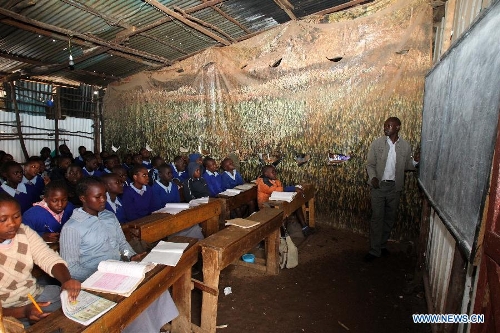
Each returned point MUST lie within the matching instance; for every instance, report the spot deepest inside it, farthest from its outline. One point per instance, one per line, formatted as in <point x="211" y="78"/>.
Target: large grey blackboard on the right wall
<point x="459" y="128"/>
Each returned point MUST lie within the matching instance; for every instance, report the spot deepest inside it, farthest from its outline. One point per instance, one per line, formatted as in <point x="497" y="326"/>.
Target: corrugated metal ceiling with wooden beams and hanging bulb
<point x="110" y="40"/>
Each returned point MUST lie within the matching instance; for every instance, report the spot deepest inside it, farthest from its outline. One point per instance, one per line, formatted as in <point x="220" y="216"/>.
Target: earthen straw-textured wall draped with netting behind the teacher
<point x="232" y="98"/>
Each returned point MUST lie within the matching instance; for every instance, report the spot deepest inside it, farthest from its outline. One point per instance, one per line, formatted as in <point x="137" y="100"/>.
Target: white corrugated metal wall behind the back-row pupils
<point x="74" y="131"/>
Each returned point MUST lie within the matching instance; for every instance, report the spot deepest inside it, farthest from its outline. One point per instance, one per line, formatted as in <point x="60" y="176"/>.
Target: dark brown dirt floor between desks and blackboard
<point x="332" y="290"/>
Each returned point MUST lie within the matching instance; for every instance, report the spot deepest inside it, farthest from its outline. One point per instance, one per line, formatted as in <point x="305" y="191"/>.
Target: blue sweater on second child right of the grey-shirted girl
<point x="136" y="205"/>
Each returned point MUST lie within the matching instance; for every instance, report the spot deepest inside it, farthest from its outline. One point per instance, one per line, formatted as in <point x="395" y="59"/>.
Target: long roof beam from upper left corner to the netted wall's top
<point x="84" y="37"/>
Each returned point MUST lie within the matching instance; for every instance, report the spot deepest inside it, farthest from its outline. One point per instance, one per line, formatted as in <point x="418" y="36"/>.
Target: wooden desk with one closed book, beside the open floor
<point x="224" y="247"/>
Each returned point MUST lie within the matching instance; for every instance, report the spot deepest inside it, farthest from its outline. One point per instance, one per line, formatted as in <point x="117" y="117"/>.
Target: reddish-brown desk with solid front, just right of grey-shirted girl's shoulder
<point x="157" y="226"/>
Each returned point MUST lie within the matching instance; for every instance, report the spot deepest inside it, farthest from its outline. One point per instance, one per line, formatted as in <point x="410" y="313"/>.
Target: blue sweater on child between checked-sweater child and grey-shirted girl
<point x="40" y="220"/>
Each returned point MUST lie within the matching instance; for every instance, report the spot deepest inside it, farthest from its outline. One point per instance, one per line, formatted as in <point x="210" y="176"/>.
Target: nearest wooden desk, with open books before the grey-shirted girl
<point x="157" y="281"/>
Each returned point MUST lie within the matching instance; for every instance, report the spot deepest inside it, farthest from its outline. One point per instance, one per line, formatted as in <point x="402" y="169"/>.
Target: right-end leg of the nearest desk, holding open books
<point x="181" y="294"/>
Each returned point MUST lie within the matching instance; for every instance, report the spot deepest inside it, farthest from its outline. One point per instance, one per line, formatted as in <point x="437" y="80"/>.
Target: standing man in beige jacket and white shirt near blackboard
<point x="388" y="158"/>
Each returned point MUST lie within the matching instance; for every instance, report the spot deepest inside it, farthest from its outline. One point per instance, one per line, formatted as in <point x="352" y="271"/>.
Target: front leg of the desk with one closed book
<point x="210" y="278"/>
